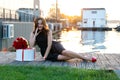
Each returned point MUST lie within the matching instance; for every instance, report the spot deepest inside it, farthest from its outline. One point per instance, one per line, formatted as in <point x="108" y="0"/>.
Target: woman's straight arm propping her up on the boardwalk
<point x="49" y="44"/>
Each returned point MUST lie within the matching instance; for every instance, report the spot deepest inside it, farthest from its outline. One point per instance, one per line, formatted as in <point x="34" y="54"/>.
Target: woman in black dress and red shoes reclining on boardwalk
<point x="51" y="50"/>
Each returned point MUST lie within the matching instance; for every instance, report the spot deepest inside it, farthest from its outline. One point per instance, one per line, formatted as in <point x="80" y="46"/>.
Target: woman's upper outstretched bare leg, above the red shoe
<point x="74" y="55"/>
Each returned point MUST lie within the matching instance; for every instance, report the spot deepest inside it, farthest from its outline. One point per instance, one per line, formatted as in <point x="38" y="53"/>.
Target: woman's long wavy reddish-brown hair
<point x="45" y="28"/>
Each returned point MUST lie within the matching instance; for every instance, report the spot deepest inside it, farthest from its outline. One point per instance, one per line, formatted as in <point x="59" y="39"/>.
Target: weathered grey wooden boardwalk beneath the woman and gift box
<point x="104" y="61"/>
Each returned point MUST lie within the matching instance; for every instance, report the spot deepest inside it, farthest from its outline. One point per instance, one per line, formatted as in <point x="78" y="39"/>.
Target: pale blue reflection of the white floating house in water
<point x="93" y="38"/>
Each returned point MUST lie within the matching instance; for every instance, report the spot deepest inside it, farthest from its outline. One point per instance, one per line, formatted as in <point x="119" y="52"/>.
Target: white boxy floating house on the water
<point x="93" y="17"/>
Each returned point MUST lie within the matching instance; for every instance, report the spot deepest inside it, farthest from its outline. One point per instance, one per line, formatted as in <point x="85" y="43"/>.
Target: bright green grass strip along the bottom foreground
<point x="53" y="73"/>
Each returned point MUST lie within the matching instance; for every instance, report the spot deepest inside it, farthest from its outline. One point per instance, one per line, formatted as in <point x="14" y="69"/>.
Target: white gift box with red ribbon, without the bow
<point x="25" y="54"/>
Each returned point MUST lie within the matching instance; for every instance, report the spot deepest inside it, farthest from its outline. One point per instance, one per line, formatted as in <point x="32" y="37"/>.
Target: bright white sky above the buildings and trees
<point x="68" y="7"/>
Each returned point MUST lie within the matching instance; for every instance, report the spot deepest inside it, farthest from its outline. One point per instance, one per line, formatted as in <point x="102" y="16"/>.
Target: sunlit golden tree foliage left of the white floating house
<point x="52" y="15"/>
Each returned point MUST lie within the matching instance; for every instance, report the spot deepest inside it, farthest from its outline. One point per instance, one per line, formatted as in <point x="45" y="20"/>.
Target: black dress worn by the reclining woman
<point x="56" y="48"/>
